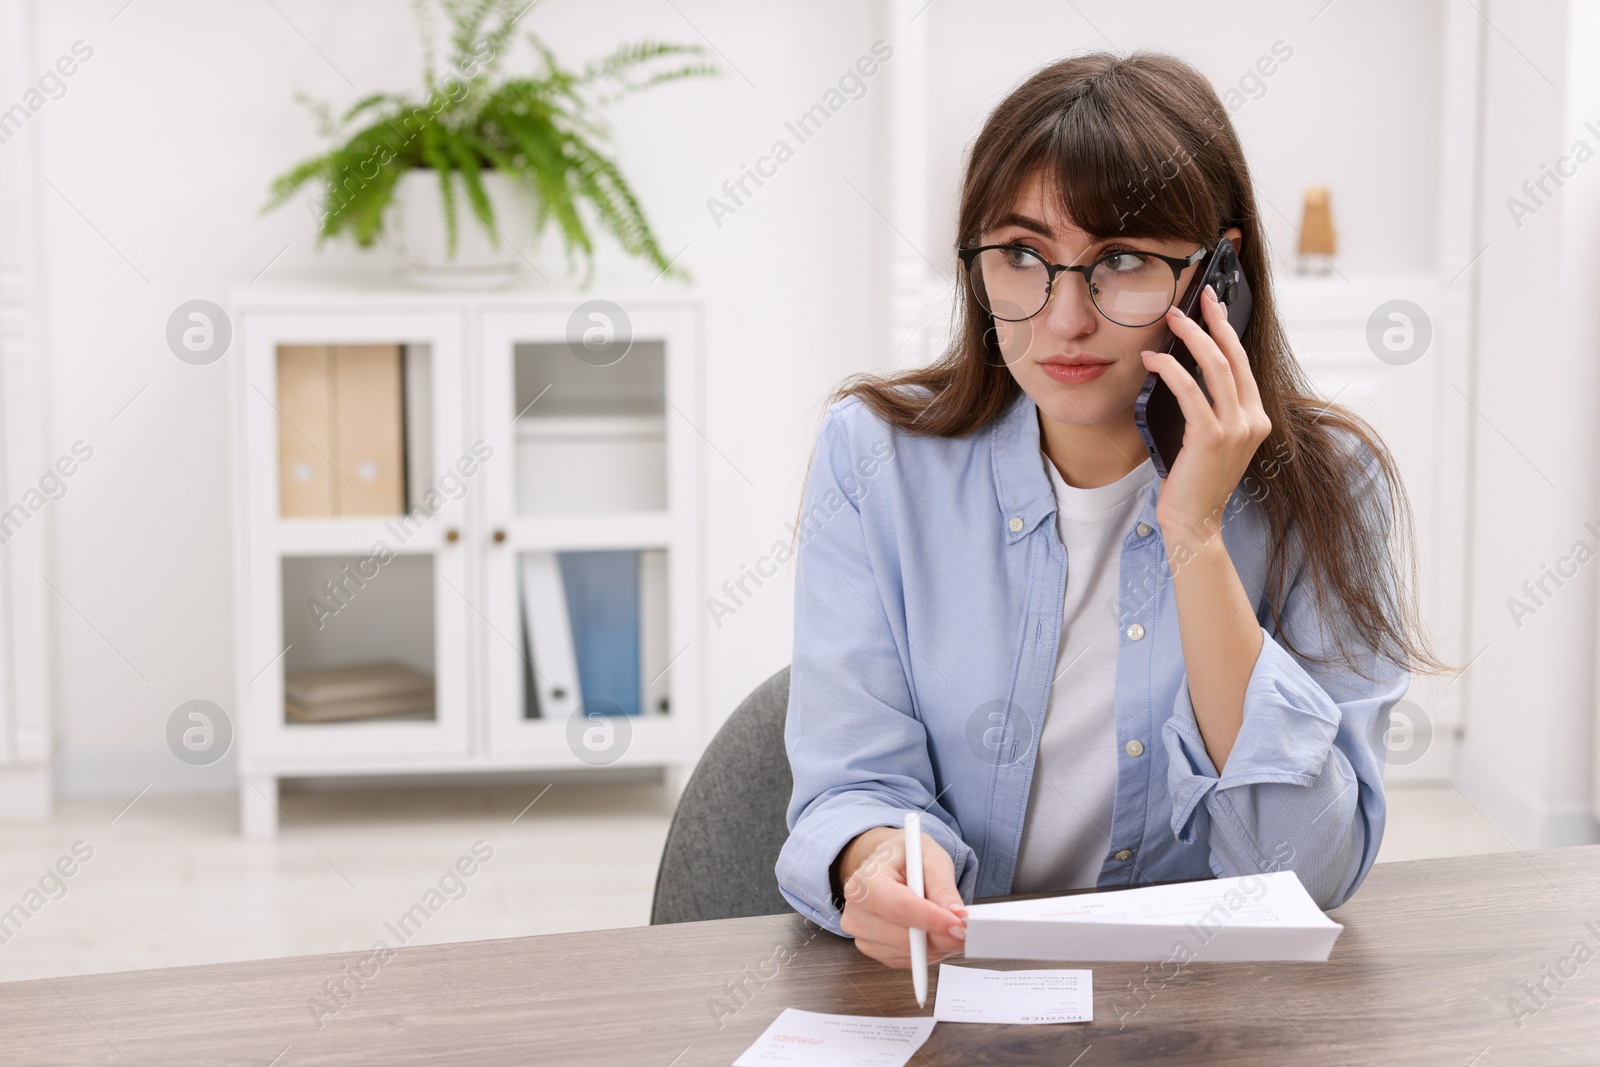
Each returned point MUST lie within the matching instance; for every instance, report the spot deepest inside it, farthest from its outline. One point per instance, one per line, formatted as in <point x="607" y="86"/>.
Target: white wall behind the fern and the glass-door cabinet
<point x="162" y="150"/>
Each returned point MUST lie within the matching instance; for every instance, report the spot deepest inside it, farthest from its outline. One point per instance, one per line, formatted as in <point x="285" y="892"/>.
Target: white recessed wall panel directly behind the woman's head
<point x="1354" y="108"/>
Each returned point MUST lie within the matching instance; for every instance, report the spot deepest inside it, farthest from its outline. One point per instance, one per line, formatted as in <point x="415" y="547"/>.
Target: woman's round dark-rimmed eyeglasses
<point x="1130" y="289"/>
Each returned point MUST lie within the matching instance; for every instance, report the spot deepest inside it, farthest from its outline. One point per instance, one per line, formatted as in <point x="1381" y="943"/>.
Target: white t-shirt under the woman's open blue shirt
<point x="1070" y="807"/>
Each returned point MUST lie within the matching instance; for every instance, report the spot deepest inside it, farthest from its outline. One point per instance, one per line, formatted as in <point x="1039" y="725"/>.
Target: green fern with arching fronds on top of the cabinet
<point x="543" y="130"/>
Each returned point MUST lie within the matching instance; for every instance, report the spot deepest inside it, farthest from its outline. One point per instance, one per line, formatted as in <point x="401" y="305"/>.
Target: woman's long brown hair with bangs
<point x="1140" y="146"/>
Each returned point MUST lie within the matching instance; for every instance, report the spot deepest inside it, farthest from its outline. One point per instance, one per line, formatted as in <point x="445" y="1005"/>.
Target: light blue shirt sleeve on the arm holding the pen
<point x="857" y="746"/>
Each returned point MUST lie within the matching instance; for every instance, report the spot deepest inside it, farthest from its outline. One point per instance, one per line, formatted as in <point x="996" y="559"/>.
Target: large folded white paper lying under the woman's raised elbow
<point x="1250" y="919"/>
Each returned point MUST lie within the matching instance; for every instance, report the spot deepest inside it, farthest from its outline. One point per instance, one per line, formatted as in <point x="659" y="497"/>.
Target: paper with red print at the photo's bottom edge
<point x="812" y="1039"/>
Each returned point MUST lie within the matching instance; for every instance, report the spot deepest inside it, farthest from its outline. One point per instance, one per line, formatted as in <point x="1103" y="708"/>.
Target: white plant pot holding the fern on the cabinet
<point x="478" y="263"/>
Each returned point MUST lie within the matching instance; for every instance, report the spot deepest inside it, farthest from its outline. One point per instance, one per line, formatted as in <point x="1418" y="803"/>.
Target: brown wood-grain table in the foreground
<point x="1433" y="957"/>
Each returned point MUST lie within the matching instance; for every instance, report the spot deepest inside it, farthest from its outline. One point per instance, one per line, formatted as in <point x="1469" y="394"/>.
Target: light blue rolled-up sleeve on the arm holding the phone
<point x="1303" y="783"/>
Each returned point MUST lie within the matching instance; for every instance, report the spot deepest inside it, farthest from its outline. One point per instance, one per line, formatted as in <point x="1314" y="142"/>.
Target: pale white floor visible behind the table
<point x="170" y="882"/>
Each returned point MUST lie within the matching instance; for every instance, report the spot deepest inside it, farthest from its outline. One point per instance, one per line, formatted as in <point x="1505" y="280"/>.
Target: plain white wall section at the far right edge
<point x="1527" y="753"/>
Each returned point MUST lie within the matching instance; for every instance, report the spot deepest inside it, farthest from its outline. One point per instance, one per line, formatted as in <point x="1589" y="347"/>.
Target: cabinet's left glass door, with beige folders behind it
<point x="356" y="486"/>
